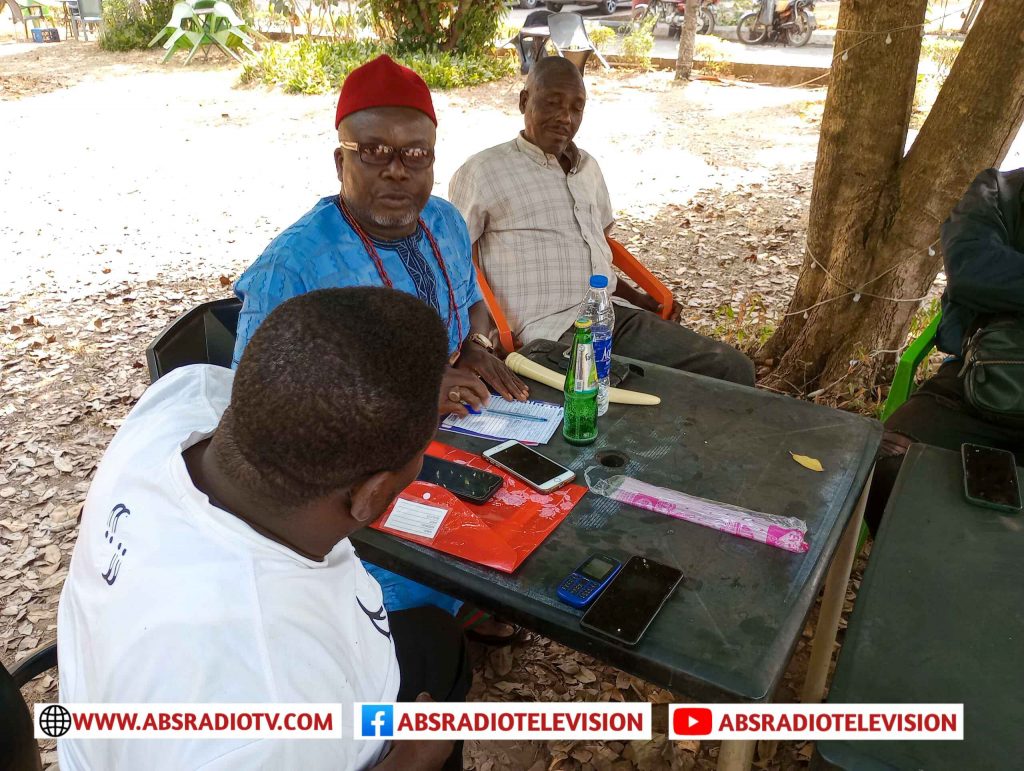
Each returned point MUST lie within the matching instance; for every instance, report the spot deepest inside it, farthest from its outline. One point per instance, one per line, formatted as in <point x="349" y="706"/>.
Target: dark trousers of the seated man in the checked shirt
<point x="643" y="335"/>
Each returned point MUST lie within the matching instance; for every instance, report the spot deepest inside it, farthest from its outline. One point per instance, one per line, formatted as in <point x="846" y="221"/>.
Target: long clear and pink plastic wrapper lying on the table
<point x="784" y="533"/>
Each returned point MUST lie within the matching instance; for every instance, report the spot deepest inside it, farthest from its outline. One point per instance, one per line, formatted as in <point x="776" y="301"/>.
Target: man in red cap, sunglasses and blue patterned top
<point x="386" y="229"/>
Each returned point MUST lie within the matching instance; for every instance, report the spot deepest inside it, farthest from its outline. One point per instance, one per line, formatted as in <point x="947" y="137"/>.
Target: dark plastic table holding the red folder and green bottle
<point x="730" y="631"/>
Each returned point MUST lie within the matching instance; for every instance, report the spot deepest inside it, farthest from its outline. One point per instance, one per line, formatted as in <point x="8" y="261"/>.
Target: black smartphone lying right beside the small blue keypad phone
<point x="626" y="609"/>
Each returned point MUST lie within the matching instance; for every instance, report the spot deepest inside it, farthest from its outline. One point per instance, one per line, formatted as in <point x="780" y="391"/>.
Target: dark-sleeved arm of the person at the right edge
<point x="985" y="272"/>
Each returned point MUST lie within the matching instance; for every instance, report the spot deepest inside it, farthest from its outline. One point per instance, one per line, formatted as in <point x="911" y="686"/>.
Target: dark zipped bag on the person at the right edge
<point x="994" y="371"/>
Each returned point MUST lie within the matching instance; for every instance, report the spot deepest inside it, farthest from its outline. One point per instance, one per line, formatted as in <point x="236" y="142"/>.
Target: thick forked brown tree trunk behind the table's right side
<point x="875" y="213"/>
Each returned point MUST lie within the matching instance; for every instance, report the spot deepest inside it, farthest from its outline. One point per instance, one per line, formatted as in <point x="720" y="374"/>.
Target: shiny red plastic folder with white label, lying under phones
<point x="500" y="534"/>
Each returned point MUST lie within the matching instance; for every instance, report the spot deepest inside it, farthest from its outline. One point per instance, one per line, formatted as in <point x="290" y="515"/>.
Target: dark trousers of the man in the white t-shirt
<point x="433" y="658"/>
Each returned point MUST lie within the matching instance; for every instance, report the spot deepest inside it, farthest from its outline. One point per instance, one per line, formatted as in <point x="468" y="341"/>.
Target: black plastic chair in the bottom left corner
<point x="19" y="751"/>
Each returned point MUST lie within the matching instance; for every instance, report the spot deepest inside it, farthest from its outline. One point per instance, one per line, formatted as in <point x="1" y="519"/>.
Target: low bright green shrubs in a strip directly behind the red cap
<point x="314" y="67"/>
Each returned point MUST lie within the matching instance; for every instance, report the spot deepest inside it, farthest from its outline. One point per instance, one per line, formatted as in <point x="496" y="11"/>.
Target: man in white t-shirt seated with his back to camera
<point x="214" y="564"/>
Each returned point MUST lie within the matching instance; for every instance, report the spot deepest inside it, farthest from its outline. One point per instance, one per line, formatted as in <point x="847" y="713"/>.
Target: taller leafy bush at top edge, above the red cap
<point x="452" y="26"/>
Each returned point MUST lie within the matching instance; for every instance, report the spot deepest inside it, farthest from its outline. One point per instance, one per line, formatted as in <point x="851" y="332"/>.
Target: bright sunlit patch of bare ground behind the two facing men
<point x="172" y="167"/>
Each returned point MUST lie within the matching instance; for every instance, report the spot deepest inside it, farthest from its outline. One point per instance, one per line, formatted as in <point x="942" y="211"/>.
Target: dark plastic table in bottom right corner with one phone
<point x="940" y="619"/>
